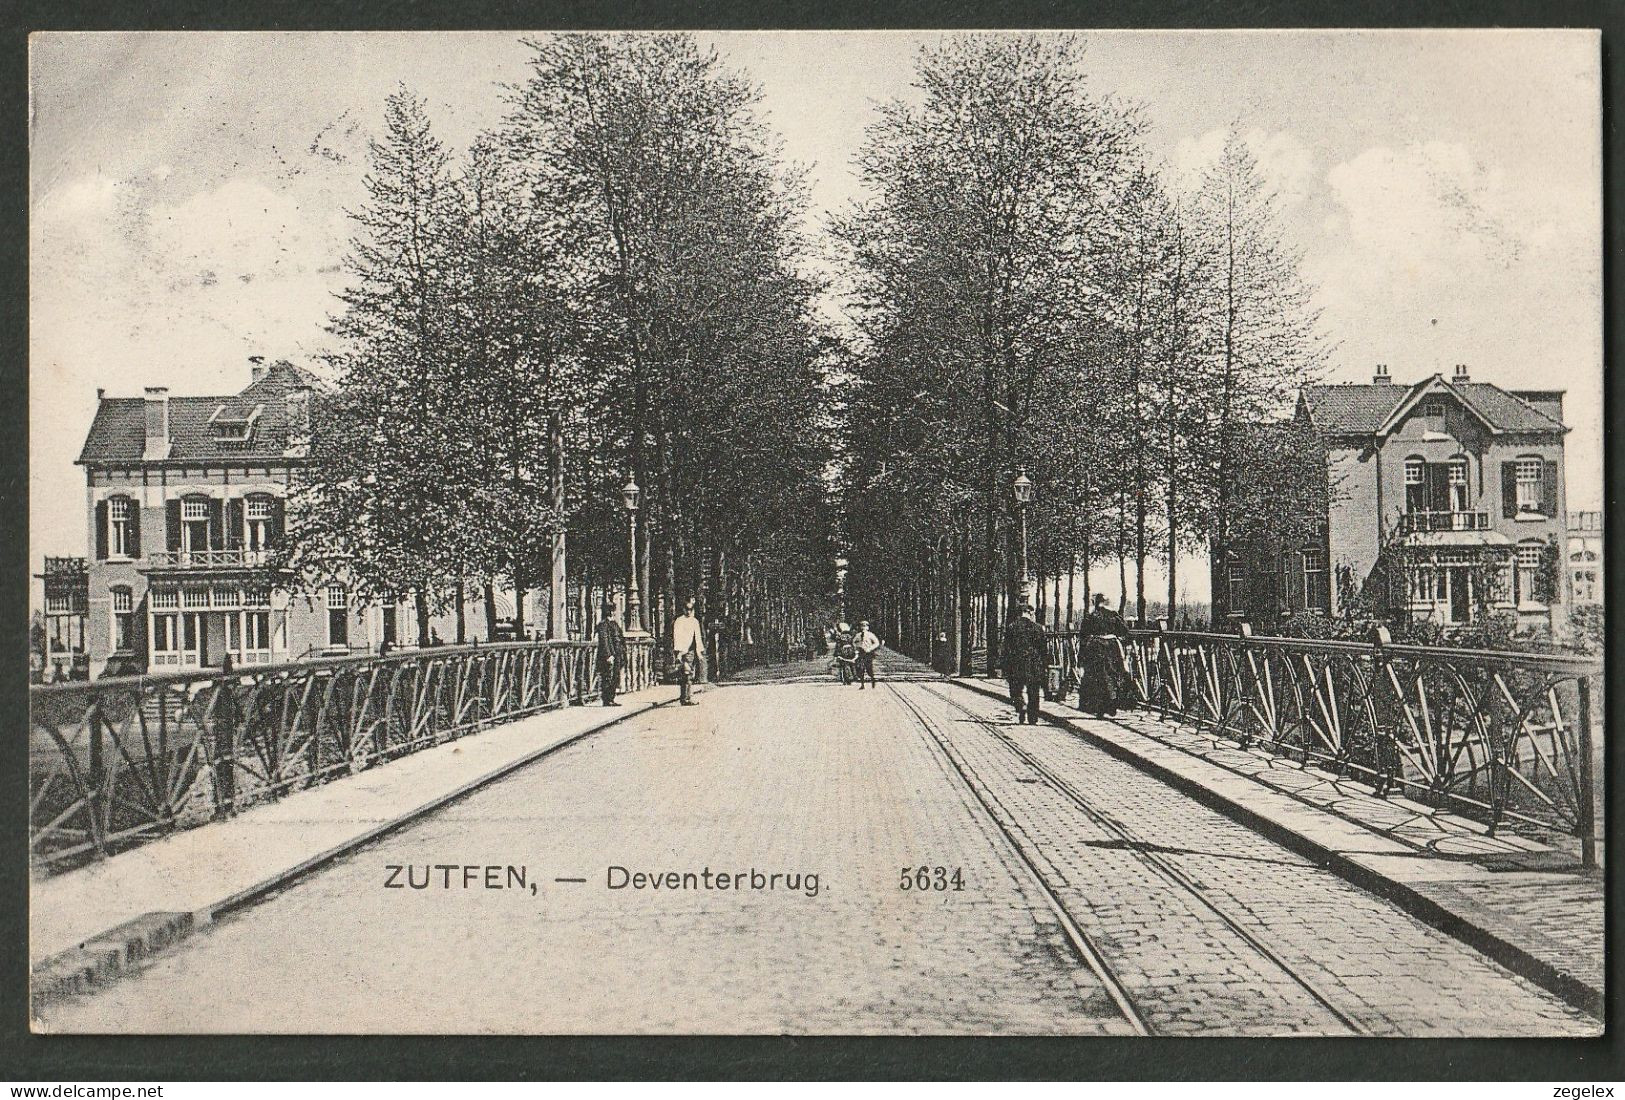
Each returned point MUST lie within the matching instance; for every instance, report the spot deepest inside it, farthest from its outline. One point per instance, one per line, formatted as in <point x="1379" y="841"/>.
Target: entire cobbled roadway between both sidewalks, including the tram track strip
<point x="808" y="777"/>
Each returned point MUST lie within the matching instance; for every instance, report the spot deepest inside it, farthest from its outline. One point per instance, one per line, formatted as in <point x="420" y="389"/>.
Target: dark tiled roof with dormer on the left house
<point x="119" y="431"/>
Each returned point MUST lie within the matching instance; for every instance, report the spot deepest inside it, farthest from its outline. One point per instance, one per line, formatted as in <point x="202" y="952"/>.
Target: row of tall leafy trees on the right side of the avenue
<point x="1036" y="295"/>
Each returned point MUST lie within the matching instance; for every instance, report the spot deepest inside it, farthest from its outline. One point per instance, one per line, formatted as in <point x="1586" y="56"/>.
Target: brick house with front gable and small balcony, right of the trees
<point x="1445" y="501"/>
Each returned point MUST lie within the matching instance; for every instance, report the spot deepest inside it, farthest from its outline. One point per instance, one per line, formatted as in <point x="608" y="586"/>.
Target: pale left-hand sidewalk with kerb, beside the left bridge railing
<point x="90" y="924"/>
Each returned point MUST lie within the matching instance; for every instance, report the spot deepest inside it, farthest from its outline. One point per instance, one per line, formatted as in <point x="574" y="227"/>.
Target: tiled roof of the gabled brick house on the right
<point x="1377" y="409"/>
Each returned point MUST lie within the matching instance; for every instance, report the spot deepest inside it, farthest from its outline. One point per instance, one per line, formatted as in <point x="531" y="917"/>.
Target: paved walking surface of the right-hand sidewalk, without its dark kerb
<point x="1532" y="891"/>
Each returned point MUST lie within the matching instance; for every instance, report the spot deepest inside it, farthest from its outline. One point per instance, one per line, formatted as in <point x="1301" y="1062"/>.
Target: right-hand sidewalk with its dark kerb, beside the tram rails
<point x="1525" y="903"/>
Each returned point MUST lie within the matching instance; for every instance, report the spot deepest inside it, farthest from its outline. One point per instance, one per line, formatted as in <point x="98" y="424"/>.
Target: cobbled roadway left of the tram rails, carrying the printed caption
<point x="786" y="779"/>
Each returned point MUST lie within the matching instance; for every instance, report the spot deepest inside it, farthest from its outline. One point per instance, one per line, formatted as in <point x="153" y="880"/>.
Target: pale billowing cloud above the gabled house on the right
<point x="1432" y="256"/>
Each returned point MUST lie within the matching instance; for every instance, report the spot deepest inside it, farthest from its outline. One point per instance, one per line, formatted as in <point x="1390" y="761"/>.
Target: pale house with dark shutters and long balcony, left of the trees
<point x="184" y="500"/>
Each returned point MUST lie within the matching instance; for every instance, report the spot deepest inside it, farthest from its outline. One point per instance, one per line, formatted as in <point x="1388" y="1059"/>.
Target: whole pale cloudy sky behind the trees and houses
<point x="189" y="193"/>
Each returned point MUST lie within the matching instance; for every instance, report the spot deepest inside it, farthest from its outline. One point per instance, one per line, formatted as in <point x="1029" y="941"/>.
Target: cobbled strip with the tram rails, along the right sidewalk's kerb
<point x="1190" y="971"/>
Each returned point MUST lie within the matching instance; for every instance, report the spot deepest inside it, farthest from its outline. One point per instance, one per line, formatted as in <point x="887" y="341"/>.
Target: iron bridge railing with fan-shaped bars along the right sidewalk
<point x="1506" y="738"/>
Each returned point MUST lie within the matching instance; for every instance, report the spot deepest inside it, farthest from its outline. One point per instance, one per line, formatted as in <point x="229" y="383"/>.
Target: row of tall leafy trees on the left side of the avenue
<point x="605" y="288"/>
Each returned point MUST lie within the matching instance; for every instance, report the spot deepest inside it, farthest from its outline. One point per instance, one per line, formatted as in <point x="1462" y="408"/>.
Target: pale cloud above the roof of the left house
<point x="155" y="282"/>
